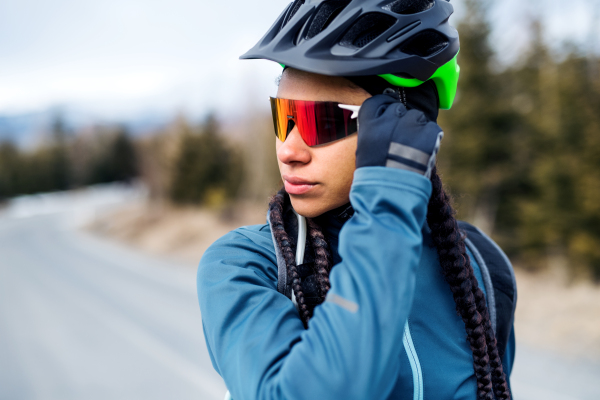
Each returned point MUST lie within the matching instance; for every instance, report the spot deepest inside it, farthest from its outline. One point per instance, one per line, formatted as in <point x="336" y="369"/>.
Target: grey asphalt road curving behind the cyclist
<point x="82" y="318"/>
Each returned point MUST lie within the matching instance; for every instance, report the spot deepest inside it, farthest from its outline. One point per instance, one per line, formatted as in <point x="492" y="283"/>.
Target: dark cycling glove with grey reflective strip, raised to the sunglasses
<point x="390" y="135"/>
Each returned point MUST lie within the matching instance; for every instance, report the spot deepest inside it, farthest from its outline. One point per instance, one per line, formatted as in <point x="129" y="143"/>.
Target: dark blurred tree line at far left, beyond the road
<point x="66" y="160"/>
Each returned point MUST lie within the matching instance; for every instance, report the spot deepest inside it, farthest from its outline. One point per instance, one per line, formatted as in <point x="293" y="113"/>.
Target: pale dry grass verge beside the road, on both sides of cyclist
<point x="551" y="313"/>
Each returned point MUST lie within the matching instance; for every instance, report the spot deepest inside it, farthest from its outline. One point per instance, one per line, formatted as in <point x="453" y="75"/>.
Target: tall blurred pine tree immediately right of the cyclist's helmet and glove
<point x="481" y="129"/>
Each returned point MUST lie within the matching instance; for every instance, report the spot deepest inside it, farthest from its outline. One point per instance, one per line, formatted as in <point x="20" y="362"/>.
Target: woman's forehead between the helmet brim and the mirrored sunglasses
<point x="300" y="85"/>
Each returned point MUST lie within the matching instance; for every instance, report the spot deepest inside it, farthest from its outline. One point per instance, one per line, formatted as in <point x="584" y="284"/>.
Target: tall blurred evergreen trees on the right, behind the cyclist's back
<point x="521" y="153"/>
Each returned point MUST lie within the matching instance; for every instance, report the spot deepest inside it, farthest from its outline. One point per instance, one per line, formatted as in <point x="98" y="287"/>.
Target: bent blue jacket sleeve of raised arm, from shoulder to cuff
<point x="352" y="346"/>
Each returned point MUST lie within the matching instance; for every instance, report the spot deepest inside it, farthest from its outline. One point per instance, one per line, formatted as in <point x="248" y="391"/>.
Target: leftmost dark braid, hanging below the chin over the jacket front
<point x="283" y="241"/>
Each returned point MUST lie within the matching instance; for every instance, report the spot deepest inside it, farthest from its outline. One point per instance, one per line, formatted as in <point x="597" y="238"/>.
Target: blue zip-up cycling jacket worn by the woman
<point x="387" y="330"/>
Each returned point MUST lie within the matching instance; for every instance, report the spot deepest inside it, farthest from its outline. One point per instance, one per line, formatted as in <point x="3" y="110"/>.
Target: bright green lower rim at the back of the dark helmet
<point x="445" y="79"/>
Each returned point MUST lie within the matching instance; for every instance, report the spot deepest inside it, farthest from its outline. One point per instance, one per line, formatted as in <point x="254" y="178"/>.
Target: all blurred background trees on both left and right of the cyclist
<point x="521" y="154"/>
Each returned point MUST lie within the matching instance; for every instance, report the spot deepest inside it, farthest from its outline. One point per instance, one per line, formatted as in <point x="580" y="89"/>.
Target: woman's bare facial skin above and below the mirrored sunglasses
<point x="317" y="178"/>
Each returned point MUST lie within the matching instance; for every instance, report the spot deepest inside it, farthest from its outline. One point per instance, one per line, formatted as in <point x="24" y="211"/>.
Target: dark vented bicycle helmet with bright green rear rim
<point x="406" y="42"/>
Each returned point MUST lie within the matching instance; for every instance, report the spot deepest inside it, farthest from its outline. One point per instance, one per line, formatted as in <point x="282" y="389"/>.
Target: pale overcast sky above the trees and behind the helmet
<point x="120" y="58"/>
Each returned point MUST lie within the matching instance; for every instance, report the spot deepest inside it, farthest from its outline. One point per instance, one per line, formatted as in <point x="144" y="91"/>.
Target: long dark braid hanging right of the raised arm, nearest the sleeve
<point x="458" y="271"/>
